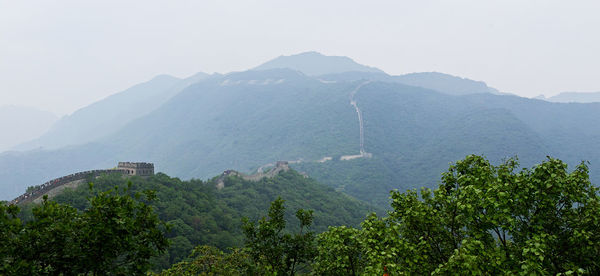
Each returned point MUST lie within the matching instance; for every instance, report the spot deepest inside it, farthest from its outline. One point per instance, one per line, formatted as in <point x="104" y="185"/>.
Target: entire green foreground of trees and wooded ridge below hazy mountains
<point x="481" y="219"/>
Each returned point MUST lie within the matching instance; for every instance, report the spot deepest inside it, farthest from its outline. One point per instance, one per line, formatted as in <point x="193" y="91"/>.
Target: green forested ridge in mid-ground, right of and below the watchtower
<point x="203" y="214"/>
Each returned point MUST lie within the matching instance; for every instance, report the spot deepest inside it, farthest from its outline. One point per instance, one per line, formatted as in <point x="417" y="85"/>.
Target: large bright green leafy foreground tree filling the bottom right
<point x="489" y="219"/>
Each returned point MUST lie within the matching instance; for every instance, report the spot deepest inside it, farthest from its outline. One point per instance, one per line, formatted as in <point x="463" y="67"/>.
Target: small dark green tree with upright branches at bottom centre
<point x="272" y="249"/>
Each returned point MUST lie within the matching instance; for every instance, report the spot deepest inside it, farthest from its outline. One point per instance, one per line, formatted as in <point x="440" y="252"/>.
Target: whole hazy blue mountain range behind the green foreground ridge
<point x="298" y="108"/>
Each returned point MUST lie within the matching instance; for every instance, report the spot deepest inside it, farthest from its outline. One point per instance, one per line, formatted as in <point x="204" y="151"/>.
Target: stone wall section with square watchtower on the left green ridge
<point x="55" y="186"/>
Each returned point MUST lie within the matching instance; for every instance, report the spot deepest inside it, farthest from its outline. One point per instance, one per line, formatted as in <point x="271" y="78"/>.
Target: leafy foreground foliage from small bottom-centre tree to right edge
<point x="482" y="220"/>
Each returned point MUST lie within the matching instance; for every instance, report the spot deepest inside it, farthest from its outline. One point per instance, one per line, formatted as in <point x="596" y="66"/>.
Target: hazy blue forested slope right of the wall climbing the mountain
<point x="409" y="133"/>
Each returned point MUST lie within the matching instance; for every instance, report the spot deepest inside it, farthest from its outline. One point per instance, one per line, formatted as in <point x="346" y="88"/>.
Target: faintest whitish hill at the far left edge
<point x="20" y="124"/>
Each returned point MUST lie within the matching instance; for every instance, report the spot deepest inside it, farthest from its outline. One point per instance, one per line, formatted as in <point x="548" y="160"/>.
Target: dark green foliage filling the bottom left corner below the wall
<point x="115" y="235"/>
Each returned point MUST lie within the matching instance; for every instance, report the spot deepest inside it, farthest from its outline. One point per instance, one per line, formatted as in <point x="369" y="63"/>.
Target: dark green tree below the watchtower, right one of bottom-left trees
<point x="121" y="234"/>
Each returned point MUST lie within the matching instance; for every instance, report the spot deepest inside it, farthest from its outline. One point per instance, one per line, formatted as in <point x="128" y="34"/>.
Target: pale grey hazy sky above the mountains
<point x="62" y="55"/>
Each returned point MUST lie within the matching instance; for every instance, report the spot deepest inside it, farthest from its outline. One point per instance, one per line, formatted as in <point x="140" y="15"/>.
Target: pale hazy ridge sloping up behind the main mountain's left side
<point x="112" y="113"/>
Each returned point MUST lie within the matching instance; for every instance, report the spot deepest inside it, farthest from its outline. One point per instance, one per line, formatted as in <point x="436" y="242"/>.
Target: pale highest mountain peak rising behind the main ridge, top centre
<point x="314" y="64"/>
